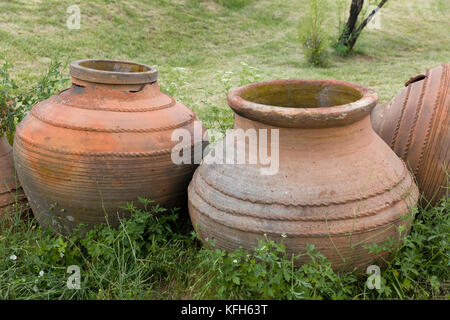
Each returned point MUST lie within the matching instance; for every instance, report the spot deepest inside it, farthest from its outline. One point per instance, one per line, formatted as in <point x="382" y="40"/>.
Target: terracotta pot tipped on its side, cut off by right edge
<point x="416" y="125"/>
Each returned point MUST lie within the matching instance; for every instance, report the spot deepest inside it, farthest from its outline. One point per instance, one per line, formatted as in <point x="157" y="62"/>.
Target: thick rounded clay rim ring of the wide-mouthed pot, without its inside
<point x="319" y="117"/>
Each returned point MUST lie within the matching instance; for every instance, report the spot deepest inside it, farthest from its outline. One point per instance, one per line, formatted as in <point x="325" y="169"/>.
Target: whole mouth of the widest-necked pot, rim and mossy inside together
<point x="303" y="103"/>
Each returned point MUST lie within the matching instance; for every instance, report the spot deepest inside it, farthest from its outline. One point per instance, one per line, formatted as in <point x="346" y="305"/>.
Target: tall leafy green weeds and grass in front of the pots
<point x="156" y="255"/>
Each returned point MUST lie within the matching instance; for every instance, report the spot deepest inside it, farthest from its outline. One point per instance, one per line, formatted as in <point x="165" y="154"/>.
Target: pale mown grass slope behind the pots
<point x="208" y="39"/>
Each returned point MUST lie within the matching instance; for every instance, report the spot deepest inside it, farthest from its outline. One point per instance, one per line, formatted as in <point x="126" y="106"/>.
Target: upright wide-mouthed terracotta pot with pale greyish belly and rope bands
<point x="338" y="186"/>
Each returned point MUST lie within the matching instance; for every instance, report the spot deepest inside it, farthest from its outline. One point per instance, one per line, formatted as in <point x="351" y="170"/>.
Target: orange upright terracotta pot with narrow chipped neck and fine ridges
<point x="100" y="144"/>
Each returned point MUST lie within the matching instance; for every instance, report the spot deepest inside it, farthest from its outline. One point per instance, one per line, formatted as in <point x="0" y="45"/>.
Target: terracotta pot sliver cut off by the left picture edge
<point x="10" y="191"/>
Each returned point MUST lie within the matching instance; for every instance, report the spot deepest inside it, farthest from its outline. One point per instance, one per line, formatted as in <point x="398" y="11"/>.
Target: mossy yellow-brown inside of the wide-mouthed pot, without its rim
<point x="302" y="94"/>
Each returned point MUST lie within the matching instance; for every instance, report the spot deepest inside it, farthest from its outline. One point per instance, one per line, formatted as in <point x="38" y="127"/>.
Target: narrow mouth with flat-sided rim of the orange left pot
<point x="113" y="71"/>
